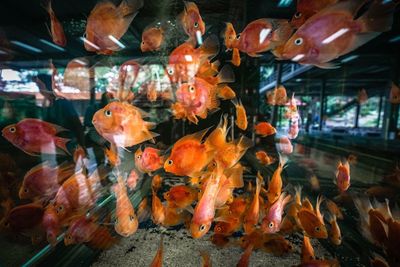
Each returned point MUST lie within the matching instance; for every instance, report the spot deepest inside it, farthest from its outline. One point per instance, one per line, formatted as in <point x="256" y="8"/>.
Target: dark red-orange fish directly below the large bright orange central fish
<point x="180" y="196"/>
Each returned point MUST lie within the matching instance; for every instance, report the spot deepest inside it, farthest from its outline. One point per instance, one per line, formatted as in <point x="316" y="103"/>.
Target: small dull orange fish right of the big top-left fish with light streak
<point x="152" y="38"/>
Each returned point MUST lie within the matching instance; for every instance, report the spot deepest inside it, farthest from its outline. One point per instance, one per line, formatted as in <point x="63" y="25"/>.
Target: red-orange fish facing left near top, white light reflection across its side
<point x="262" y="35"/>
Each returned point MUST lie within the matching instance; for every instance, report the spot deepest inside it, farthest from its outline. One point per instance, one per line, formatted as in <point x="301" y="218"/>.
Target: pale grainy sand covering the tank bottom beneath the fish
<point x="182" y="250"/>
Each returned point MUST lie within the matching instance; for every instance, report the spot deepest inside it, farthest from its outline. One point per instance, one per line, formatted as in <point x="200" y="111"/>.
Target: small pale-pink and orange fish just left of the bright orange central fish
<point x="148" y="160"/>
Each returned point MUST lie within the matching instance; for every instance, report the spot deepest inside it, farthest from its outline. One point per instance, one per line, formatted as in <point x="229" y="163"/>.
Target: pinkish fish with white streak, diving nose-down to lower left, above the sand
<point x="271" y="223"/>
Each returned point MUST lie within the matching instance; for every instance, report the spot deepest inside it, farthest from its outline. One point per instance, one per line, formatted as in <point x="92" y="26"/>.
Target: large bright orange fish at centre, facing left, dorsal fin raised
<point x="189" y="156"/>
